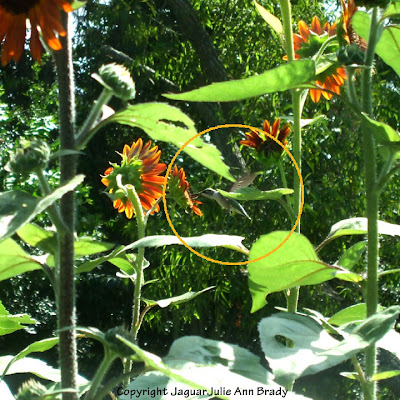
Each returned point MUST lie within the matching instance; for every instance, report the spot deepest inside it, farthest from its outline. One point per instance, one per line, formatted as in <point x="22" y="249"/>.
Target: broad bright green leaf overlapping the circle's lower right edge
<point x="295" y="263"/>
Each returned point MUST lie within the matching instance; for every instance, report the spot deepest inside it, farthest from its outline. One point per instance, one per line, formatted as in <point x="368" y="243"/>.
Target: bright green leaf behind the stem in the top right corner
<point x="388" y="47"/>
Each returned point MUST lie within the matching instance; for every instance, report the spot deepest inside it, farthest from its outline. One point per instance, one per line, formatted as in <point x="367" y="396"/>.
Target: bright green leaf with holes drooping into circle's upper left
<point x="169" y="124"/>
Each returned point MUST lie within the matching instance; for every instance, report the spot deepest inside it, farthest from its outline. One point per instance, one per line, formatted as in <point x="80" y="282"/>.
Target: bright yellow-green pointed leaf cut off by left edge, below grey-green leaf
<point x="14" y="261"/>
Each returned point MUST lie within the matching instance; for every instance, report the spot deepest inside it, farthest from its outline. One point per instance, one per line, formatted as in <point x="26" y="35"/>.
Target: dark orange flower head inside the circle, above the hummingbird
<point x="267" y="150"/>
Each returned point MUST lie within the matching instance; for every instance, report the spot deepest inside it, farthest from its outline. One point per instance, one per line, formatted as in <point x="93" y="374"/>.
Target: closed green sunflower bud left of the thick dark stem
<point x="29" y="157"/>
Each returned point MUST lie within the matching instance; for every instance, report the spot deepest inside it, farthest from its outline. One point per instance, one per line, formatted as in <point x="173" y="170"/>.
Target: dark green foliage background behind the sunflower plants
<point x="149" y="34"/>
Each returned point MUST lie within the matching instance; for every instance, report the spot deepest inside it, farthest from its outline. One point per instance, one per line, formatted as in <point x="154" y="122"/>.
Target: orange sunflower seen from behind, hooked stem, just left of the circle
<point x="140" y="168"/>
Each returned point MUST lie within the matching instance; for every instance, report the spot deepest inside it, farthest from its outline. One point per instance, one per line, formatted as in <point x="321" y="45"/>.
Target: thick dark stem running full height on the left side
<point x="66" y="283"/>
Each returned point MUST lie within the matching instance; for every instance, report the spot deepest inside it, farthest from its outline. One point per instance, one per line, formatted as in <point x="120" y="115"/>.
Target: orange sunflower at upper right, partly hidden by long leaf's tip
<point x="307" y="44"/>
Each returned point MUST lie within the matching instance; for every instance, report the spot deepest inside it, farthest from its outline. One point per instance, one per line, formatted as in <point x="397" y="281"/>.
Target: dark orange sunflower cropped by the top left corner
<point x="42" y="14"/>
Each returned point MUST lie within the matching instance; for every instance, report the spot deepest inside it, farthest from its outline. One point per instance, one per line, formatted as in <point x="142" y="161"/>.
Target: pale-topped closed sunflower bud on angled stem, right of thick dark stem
<point x="117" y="78"/>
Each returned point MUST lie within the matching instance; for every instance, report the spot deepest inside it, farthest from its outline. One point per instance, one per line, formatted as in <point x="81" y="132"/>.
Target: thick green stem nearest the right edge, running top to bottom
<point x="372" y="194"/>
